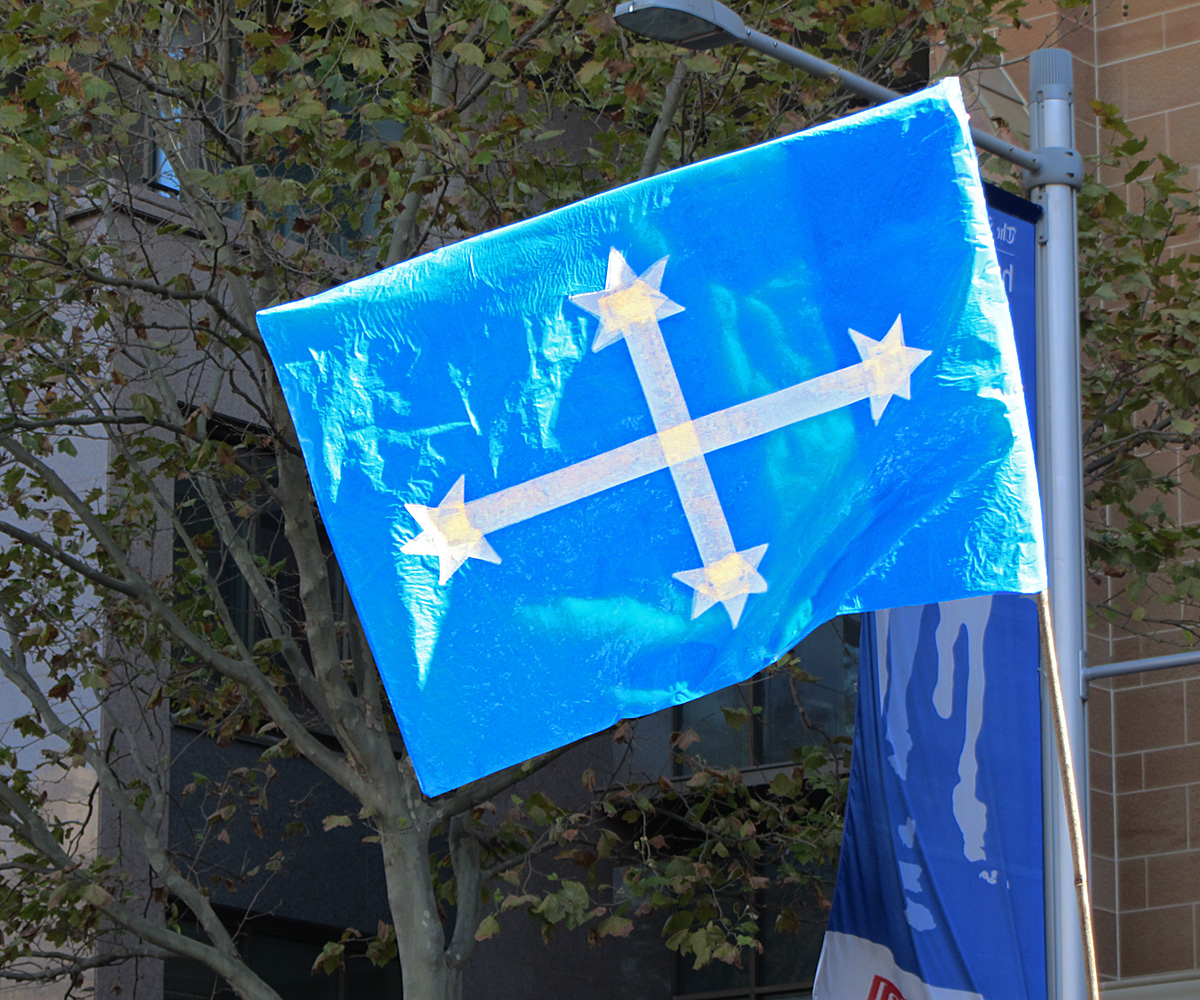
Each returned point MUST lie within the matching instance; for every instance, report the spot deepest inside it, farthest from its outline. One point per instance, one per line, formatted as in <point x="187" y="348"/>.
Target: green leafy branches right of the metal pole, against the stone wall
<point x="1142" y="398"/>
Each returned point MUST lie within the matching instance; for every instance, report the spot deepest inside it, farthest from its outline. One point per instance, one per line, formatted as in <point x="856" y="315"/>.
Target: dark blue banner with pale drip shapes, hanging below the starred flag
<point x="940" y="891"/>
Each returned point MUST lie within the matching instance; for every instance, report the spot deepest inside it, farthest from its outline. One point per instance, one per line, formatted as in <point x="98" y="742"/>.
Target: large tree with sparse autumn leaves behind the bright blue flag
<point x="170" y="170"/>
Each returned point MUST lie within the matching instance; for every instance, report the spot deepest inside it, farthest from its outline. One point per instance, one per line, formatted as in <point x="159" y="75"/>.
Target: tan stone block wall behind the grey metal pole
<point x="1144" y="730"/>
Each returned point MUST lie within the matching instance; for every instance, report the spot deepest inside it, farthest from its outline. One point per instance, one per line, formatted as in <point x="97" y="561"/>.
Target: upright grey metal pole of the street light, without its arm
<point x="1060" y="460"/>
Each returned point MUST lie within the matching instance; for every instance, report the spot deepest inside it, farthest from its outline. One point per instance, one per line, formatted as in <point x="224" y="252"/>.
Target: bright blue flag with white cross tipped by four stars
<point x="629" y="453"/>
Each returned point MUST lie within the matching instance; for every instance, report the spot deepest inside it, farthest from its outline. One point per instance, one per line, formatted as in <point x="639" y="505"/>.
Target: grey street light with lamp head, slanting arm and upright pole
<point x="1053" y="175"/>
